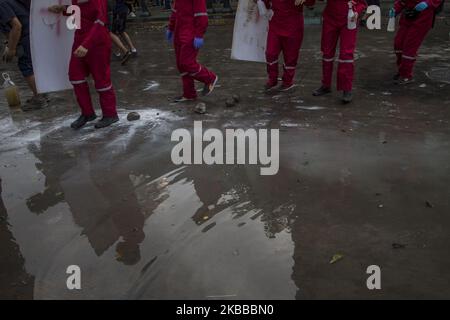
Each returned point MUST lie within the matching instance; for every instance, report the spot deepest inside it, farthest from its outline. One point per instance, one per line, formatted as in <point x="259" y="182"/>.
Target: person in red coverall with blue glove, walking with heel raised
<point x="187" y="26"/>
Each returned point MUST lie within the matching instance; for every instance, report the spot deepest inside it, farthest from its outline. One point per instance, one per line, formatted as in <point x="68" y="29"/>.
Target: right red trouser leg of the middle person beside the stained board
<point x="291" y="51"/>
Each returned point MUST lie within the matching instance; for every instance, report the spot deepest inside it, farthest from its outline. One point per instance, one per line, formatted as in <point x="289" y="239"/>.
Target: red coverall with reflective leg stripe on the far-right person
<point x="411" y="34"/>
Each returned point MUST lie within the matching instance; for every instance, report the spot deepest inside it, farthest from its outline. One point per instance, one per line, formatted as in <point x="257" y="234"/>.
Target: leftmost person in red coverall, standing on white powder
<point x="91" y="55"/>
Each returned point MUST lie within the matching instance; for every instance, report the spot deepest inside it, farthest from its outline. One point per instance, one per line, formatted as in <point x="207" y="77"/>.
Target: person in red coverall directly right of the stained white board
<point x="285" y="35"/>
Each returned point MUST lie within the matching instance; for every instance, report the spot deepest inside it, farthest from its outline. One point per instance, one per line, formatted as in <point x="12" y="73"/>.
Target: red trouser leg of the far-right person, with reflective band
<point x="414" y="38"/>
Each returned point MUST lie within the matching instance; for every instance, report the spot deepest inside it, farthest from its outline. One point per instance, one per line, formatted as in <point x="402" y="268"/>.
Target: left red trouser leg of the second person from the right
<point x="330" y="35"/>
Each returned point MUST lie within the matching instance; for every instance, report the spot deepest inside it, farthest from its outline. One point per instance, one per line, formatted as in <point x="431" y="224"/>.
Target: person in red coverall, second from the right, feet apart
<point x="335" y="19"/>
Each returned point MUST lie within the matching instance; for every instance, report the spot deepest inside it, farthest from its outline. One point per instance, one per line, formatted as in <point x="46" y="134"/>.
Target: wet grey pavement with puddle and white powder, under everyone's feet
<point x="353" y="180"/>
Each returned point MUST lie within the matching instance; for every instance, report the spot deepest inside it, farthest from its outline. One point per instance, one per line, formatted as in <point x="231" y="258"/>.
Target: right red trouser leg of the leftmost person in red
<point x="98" y="60"/>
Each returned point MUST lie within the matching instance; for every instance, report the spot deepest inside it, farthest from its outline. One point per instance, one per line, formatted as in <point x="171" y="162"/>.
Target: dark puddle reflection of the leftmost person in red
<point x="103" y="205"/>
